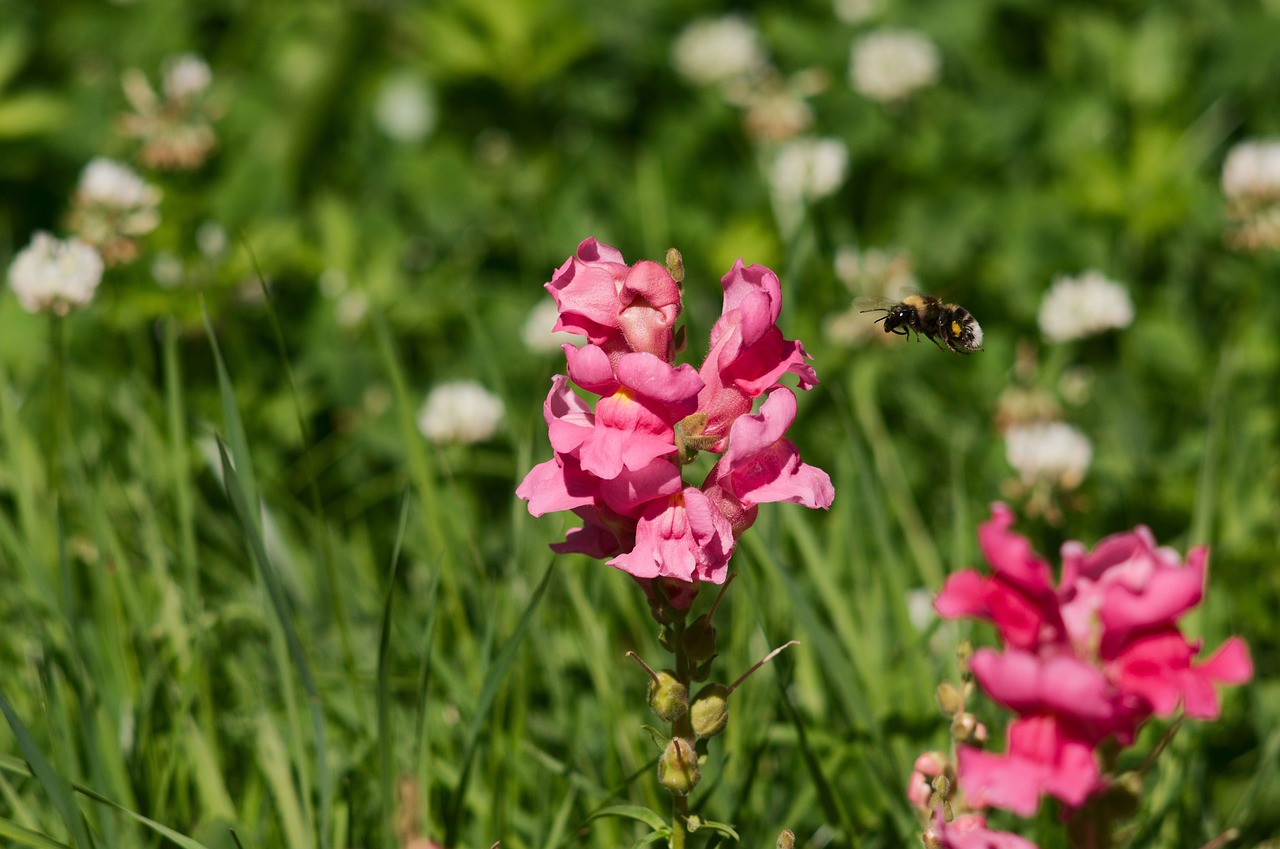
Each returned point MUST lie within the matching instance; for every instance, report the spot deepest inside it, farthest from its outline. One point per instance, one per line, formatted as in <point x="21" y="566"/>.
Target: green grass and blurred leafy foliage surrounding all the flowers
<point x="275" y="673"/>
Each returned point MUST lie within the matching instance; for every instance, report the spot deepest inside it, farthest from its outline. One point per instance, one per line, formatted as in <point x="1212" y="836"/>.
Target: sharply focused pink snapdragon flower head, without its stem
<point x="619" y="468"/>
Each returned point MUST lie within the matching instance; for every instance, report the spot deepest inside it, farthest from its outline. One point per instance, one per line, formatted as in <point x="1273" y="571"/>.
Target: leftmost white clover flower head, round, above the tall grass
<point x="57" y="276"/>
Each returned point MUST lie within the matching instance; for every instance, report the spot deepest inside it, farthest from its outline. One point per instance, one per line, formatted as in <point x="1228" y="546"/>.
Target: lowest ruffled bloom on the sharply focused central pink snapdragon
<point x="682" y="537"/>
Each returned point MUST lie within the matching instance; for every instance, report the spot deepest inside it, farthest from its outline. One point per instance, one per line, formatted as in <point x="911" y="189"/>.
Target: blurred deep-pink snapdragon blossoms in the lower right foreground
<point x="1085" y="663"/>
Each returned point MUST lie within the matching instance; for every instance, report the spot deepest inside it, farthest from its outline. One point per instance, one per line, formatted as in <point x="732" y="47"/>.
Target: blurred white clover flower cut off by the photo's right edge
<point x="1251" y="182"/>
